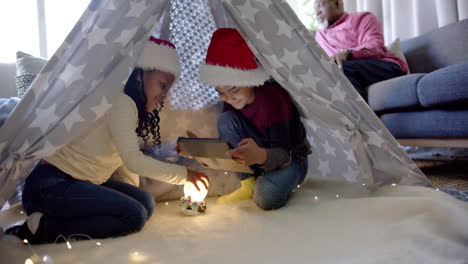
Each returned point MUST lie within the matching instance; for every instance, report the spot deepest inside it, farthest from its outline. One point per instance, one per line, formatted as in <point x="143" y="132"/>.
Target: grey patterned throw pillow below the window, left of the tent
<point x="27" y="68"/>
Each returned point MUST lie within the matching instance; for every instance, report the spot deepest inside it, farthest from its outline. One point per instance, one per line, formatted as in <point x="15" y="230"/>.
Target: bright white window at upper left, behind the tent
<point x="37" y="27"/>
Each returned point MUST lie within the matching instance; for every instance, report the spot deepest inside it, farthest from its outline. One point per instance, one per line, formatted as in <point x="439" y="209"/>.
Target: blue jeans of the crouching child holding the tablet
<point x="272" y="188"/>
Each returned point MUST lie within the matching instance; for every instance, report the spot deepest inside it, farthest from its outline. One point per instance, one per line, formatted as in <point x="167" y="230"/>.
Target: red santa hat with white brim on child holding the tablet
<point x="230" y="61"/>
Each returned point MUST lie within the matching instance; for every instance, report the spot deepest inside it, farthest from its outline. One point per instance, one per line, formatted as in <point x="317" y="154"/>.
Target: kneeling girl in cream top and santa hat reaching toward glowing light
<point x="70" y="191"/>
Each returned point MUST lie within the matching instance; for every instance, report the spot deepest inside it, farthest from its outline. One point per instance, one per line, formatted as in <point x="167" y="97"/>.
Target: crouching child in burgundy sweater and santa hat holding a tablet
<point x="259" y="119"/>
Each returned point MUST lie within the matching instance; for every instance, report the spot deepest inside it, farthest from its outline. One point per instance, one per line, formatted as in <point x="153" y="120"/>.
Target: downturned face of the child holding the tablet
<point x="237" y="97"/>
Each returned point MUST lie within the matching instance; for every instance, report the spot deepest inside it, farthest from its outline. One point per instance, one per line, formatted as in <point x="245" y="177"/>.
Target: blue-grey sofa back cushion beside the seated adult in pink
<point x="437" y="49"/>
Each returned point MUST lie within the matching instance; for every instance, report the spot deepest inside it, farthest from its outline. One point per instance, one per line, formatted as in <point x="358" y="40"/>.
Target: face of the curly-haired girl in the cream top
<point x="157" y="85"/>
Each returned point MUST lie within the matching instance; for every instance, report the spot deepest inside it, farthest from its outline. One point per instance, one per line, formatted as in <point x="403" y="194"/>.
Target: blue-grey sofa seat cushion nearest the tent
<point x="395" y="94"/>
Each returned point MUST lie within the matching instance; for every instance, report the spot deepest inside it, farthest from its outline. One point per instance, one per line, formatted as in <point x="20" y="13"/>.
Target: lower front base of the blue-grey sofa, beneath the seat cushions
<point x="427" y="124"/>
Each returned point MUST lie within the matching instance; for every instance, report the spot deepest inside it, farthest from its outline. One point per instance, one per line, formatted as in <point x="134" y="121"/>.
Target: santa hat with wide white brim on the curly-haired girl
<point x="160" y="55"/>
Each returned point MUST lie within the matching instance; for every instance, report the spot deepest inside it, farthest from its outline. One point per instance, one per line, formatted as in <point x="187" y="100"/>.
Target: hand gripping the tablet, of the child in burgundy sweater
<point x="248" y="153"/>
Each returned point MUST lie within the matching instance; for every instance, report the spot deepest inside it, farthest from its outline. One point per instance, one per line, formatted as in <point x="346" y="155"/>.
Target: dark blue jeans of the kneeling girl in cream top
<point x="71" y="206"/>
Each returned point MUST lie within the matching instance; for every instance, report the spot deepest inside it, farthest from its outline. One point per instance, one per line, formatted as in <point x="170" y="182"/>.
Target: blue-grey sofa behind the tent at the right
<point x="429" y="106"/>
